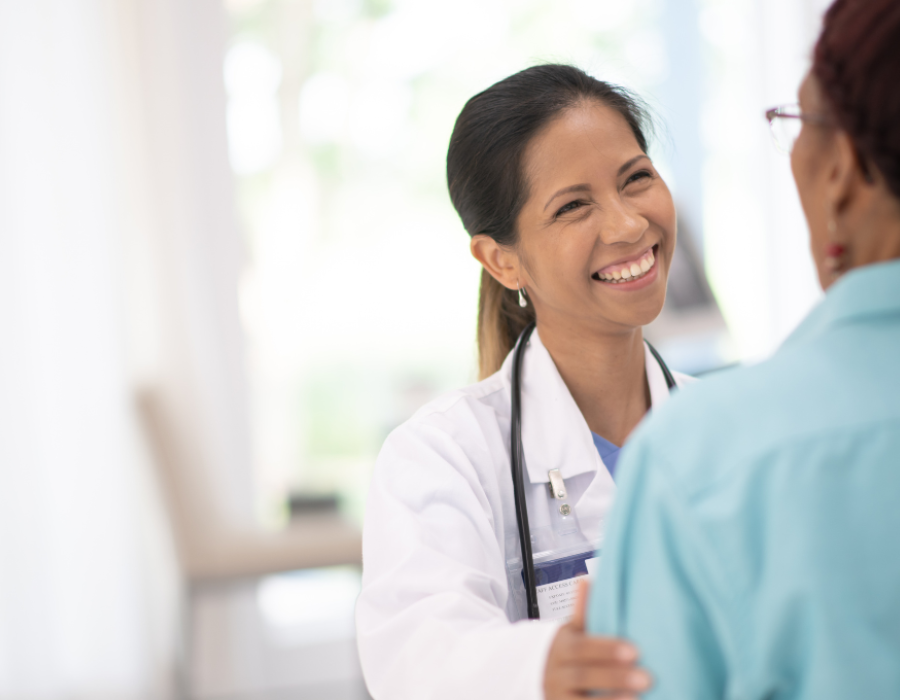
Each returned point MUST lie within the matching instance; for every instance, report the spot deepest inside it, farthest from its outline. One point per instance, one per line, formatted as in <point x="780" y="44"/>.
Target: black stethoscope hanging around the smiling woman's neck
<point x="516" y="459"/>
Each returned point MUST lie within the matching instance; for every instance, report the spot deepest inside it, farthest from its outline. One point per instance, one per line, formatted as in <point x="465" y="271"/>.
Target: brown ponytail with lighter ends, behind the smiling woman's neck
<point x="500" y="322"/>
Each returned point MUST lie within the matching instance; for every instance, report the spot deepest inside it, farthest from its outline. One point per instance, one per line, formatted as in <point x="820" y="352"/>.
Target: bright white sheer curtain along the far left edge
<point x="90" y="588"/>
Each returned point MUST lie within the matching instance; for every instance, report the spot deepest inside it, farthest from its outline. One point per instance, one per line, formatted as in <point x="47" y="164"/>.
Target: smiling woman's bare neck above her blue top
<point x="605" y="373"/>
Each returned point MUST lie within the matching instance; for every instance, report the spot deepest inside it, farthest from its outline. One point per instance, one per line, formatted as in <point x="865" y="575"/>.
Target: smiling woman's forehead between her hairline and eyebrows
<point x="588" y="140"/>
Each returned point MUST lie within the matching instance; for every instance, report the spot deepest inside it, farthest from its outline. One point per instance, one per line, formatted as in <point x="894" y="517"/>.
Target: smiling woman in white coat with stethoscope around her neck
<point x="575" y="229"/>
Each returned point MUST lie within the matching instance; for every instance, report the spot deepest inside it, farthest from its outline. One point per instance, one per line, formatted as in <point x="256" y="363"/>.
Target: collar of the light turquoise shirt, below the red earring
<point x="873" y="290"/>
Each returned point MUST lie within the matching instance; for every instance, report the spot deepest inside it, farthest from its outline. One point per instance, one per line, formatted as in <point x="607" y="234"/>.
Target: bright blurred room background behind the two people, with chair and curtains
<point x="229" y="267"/>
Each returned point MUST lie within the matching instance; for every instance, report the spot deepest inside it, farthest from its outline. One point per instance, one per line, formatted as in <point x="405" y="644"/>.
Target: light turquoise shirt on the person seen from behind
<point x="754" y="551"/>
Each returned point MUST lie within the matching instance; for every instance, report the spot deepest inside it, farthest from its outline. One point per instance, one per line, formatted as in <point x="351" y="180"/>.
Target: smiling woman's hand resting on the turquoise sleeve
<point x="578" y="663"/>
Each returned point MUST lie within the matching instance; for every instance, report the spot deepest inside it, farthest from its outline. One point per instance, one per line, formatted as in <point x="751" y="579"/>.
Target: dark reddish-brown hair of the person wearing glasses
<point x="857" y="65"/>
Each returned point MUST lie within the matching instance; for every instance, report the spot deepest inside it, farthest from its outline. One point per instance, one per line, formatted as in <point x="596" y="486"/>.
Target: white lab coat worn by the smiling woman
<point x="440" y="613"/>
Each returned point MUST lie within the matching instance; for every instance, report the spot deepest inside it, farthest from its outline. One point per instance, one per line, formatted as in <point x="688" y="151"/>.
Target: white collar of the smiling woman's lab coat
<point x="554" y="433"/>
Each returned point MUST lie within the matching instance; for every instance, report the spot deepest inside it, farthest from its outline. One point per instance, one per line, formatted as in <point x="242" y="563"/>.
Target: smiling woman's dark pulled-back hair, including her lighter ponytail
<point x="488" y="186"/>
